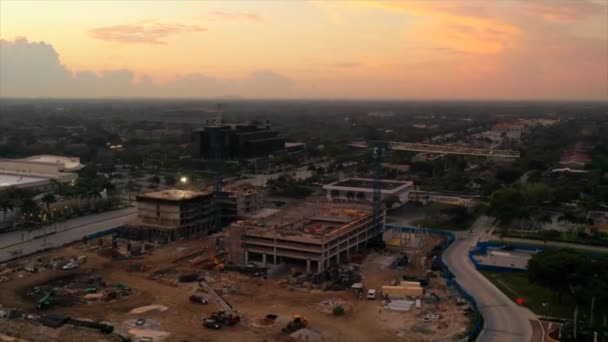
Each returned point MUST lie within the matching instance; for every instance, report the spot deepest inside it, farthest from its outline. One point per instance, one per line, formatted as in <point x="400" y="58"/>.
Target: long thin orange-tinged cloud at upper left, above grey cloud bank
<point x="141" y="33"/>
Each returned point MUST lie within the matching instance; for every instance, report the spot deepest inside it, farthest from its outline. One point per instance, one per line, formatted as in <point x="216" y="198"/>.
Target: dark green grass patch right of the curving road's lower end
<point x="516" y="285"/>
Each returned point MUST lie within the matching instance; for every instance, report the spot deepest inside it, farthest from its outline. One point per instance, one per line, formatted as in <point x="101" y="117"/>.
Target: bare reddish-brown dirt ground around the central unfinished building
<point x="254" y="298"/>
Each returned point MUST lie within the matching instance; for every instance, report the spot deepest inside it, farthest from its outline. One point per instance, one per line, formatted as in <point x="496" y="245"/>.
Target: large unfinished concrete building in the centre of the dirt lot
<point x="312" y="234"/>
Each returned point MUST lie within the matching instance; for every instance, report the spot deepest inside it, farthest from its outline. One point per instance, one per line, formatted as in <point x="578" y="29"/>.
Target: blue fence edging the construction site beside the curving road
<point x="449" y="276"/>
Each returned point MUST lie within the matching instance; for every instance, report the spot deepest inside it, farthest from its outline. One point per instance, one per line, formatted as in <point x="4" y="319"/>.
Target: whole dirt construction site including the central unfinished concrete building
<point x="314" y="272"/>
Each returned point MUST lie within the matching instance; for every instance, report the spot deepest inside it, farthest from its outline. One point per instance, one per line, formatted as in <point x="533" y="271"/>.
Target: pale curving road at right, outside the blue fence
<point x="504" y="320"/>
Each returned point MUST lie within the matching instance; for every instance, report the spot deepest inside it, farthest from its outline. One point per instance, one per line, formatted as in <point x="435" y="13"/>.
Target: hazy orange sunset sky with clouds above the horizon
<point x="409" y="49"/>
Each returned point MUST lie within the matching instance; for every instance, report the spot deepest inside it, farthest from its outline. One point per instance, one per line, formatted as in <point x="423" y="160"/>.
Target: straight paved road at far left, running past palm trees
<point x="69" y="231"/>
